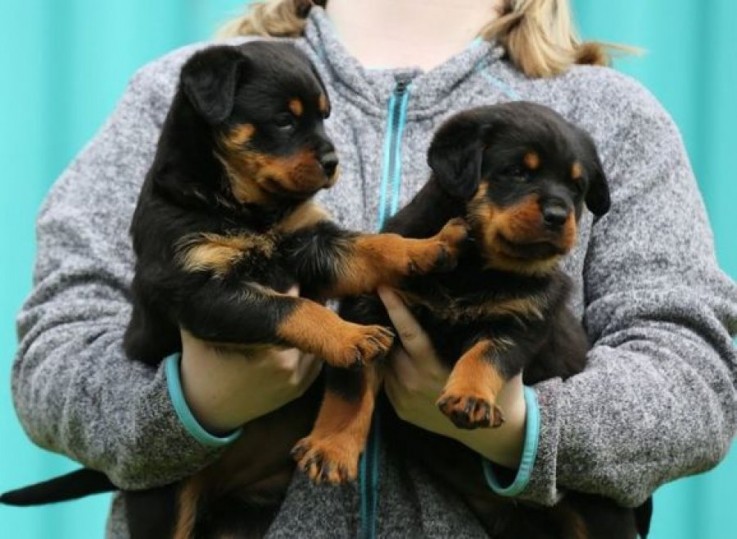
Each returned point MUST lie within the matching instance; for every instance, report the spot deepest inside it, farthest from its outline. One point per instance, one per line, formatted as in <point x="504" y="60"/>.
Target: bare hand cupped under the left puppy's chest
<point x="225" y="389"/>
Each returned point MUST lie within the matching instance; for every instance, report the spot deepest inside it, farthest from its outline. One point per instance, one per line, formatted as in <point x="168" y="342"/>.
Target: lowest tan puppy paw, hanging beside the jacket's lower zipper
<point x="333" y="461"/>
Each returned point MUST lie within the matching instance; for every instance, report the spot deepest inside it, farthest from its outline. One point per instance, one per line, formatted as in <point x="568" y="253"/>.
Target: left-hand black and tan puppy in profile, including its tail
<point x="225" y="225"/>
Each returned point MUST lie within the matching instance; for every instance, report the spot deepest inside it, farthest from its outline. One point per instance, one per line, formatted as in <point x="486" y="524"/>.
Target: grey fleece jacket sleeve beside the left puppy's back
<point x="74" y="390"/>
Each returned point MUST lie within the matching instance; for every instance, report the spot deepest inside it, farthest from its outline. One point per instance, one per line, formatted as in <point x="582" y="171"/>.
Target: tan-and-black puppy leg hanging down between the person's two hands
<point x="331" y="452"/>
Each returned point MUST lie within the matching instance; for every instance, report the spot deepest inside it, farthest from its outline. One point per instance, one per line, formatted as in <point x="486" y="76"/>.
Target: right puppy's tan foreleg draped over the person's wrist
<point x="469" y="396"/>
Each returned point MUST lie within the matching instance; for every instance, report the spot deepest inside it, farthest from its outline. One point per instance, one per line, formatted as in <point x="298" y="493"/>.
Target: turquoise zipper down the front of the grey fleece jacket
<point x="391" y="176"/>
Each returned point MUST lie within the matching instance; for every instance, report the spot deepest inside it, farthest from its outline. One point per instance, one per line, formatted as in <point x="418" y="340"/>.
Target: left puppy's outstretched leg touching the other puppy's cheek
<point x="337" y="263"/>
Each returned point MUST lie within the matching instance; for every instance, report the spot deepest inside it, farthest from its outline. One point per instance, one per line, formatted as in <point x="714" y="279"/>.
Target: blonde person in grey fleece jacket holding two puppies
<point x="656" y="401"/>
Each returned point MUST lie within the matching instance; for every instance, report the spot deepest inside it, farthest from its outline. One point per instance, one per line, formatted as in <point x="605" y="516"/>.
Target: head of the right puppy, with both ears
<point x="525" y="174"/>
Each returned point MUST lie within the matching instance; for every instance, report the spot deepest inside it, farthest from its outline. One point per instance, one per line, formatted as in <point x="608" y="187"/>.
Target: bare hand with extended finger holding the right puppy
<point x="415" y="378"/>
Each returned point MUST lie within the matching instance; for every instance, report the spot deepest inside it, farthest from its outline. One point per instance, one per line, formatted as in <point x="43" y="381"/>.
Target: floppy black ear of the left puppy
<point x="209" y="81"/>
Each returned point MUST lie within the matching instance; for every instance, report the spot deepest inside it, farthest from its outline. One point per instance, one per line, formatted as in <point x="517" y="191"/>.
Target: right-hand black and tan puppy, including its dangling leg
<point x="520" y="175"/>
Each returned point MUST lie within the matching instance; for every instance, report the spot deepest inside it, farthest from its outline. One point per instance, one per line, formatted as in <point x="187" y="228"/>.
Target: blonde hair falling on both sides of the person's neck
<point x="538" y="35"/>
